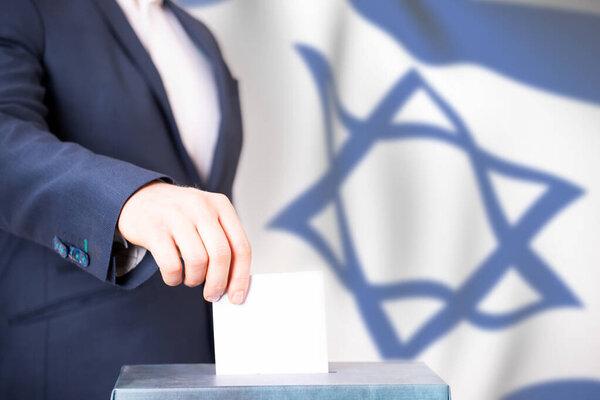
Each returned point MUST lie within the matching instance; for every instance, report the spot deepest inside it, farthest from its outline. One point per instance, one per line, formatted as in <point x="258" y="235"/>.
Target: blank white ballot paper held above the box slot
<point x="280" y="328"/>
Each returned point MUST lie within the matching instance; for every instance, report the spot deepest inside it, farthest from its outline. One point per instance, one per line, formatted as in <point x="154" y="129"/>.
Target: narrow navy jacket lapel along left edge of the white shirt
<point x="126" y="37"/>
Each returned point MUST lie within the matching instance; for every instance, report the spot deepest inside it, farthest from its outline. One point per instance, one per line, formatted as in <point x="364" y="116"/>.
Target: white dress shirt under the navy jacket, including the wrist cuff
<point x="188" y="78"/>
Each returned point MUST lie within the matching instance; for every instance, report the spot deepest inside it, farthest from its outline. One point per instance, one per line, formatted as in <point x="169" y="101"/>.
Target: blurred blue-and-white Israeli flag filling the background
<point x="440" y="162"/>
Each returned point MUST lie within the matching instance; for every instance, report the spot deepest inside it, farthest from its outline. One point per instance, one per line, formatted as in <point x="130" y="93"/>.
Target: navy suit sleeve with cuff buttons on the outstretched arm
<point x="48" y="188"/>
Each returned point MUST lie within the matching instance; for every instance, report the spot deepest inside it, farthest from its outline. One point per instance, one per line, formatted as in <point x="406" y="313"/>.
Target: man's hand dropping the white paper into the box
<point x="201" y="227"/>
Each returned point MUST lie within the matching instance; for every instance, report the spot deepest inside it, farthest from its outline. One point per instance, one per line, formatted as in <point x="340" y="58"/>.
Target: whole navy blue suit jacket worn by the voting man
<point x="85" y="122"/>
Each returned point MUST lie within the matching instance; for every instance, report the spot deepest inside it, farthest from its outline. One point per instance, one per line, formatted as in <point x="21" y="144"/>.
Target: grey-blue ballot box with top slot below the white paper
<point x="374" y="380"/>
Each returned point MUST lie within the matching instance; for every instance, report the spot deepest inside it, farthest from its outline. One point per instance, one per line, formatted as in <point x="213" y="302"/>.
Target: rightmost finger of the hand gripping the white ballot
<point x="241" y="253"/>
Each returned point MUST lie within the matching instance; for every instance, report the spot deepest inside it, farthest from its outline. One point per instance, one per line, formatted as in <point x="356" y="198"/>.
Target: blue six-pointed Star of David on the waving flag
<point x="513" y="248"/>
